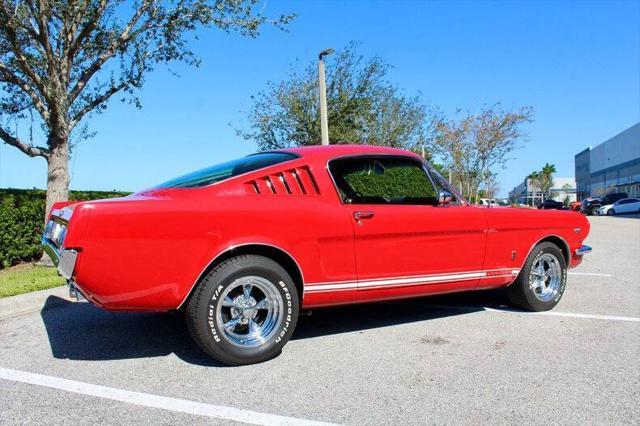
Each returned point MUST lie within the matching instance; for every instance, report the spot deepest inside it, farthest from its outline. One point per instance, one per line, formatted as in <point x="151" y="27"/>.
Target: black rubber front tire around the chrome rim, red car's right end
<point x="521" y="292"/>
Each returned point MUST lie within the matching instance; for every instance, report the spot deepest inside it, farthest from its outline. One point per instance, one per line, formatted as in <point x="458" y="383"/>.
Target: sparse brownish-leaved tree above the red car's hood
<point x="476" y="145"/>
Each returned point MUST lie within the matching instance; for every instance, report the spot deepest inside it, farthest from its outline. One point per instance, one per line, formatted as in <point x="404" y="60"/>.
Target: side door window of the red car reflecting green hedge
<point x="383" y="181"/>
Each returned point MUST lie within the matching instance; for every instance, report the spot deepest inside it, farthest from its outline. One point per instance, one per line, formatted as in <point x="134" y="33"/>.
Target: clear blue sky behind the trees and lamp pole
<point x="576" y="63"/>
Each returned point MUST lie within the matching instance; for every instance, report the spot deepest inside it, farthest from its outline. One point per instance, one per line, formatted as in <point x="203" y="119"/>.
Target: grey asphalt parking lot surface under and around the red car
<point x="451" y="359"/>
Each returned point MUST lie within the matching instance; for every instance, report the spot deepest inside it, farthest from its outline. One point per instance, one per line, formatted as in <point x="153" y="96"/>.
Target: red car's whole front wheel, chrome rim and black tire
<point x="542" y="280"/>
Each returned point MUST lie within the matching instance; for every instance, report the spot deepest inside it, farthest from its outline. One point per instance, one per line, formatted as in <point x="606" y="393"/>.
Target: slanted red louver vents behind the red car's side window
<point x="298" y="181"/>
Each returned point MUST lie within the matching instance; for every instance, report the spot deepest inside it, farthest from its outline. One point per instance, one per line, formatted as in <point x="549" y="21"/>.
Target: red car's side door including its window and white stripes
<point x="404" y="238"/>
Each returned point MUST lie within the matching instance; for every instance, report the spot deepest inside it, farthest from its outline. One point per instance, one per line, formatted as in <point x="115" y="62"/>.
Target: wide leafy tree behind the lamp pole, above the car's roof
<point x="364" y="107"/>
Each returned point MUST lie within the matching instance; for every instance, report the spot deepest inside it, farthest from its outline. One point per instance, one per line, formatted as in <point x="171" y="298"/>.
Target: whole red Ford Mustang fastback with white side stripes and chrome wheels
<point x="241" y="247"/>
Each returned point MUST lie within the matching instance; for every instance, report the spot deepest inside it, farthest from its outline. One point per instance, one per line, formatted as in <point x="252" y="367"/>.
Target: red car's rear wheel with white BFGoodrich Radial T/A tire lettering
<point x="206" y="310"/>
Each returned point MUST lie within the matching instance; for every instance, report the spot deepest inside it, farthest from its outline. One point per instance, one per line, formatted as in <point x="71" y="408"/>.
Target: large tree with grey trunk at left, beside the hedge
<point x="64" y="59"/>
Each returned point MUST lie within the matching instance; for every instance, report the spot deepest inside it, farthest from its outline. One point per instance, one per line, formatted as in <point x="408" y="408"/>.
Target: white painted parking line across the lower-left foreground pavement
<point x="153" y="401"/>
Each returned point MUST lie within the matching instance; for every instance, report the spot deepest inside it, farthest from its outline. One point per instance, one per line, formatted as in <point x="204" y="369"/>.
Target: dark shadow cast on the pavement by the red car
<point x="81" y="331"/>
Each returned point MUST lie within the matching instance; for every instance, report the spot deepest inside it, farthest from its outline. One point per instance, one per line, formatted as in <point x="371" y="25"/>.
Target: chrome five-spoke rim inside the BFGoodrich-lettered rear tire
<point x="250" y="312"/>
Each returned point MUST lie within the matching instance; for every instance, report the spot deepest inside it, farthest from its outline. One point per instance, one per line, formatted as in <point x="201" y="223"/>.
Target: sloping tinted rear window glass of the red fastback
<point x="228" y="170"/>
